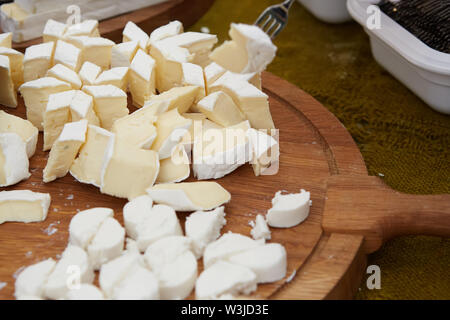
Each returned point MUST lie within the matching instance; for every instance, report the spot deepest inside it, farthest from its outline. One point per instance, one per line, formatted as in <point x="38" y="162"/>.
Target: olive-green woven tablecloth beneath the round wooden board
<point x="401" y="139"/>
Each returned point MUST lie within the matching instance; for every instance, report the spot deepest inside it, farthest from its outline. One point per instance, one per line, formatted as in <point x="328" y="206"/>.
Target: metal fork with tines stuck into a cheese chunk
<point x="273" y="20"/>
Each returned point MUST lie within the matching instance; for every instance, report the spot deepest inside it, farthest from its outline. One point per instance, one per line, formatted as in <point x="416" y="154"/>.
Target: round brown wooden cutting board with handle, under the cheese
<point x="351" y="213"/>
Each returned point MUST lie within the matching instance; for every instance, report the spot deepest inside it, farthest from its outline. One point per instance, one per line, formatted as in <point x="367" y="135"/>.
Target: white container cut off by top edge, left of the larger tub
<point x="331" y="11"/>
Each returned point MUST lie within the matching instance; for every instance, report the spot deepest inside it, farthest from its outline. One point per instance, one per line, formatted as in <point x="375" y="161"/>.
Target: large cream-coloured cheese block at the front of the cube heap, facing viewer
<point x="129" y="171"/>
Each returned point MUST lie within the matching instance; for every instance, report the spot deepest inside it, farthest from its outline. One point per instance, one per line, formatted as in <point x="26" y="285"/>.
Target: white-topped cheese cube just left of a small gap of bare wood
<point x="110" y="103"/>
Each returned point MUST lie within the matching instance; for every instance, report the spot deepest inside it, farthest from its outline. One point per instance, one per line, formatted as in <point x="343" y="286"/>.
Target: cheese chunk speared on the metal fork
<point x="250" y="51"/>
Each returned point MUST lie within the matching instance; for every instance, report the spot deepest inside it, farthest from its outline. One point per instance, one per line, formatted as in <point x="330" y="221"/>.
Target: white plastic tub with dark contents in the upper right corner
<point x="422" y="69"/>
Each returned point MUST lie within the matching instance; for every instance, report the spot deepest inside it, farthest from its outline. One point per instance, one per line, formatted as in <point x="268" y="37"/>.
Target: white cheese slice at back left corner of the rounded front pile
<point x="85" y="225"/>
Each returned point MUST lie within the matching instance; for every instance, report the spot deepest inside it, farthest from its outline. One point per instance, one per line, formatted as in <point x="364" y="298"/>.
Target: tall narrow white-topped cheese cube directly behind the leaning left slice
<point x="56" y="115"/>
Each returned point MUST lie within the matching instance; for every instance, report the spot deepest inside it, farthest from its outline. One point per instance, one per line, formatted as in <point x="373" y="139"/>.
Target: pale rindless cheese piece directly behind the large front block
<point x="137" y="129"/>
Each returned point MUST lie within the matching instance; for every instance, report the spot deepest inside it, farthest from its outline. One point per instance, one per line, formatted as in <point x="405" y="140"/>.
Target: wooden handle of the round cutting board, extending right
<point x="365" y="205"/>
